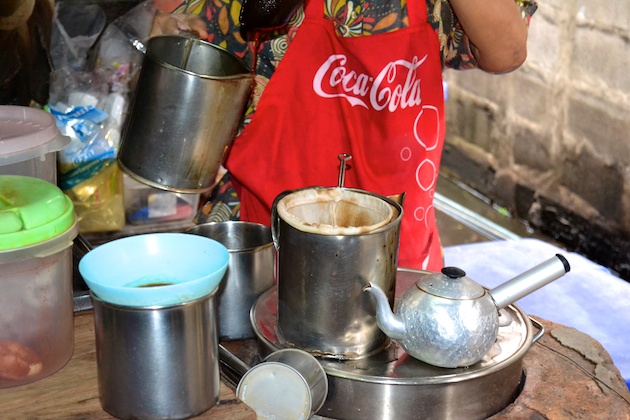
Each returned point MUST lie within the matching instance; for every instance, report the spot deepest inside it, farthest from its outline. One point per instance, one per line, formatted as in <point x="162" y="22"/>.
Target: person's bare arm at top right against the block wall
<point x="496" y="31"/>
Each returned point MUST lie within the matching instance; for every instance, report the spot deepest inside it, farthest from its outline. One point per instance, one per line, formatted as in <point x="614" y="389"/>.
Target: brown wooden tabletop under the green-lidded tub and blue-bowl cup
<point x="72" y="392"/>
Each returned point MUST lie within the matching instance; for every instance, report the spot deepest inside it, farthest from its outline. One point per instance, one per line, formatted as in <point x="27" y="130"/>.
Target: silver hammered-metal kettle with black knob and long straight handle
<point x="448" y="320"/>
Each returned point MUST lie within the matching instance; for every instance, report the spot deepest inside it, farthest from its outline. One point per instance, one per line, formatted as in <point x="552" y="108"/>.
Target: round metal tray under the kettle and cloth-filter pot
<point x="391" y="384"/>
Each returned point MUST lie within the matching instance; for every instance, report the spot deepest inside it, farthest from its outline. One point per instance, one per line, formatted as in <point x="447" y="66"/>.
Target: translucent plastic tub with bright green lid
<point x="37" y="229"/>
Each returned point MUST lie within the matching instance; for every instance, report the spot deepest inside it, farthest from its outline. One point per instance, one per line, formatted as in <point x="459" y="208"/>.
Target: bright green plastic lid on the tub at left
<point x="32" y="211"/>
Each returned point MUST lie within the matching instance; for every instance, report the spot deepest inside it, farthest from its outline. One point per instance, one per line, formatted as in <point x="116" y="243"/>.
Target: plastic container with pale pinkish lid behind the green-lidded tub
<point x="29" y="140"/>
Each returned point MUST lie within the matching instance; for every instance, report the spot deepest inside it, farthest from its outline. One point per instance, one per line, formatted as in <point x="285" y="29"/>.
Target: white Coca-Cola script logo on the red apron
<point x="391" y="89"/>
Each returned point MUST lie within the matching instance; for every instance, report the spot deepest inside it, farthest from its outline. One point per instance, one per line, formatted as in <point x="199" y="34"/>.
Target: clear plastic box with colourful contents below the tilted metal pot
<point x="145" y="204"/>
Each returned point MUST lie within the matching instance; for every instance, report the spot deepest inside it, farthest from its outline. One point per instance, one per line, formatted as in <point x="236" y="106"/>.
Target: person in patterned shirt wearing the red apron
<point x="363" y="78"/>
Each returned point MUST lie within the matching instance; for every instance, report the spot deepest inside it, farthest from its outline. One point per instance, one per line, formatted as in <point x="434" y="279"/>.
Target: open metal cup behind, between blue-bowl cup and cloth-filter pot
<point x="250" y="272"/>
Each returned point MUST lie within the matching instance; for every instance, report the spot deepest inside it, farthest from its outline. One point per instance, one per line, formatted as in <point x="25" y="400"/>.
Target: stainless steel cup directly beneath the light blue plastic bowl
<point x="157" y="362"/>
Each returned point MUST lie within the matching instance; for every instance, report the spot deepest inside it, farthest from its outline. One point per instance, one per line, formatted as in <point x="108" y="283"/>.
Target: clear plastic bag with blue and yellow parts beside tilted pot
<point x="94" y="67"/>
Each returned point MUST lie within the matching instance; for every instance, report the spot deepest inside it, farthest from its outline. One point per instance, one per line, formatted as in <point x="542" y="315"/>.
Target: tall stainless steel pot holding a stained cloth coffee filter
<point x="321" y="305"/>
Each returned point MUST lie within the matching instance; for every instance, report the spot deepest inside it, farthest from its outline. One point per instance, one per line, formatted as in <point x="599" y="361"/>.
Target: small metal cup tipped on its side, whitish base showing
<point x="288" y="384"/>
